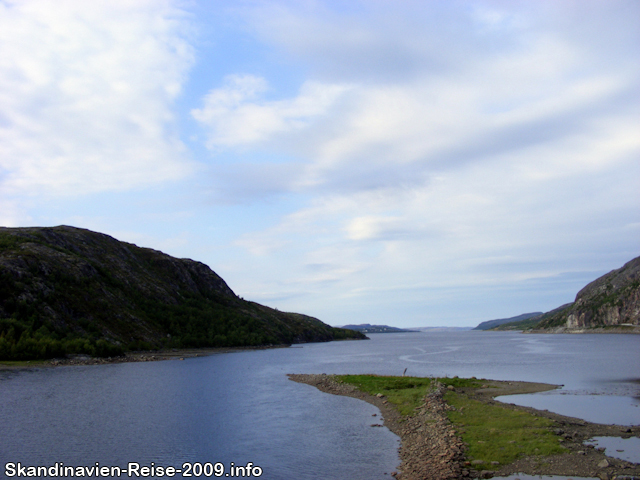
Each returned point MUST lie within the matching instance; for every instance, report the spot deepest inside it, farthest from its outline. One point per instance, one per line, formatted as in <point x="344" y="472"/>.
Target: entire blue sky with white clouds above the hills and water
<point x="409" y="163"/>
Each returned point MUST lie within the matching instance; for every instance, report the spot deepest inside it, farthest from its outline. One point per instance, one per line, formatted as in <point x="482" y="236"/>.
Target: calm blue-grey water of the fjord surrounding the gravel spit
<point x="241" y="407"/>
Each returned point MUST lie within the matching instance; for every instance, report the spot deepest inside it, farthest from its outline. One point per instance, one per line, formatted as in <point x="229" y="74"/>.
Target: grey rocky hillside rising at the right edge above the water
<point x="611" y="300"/>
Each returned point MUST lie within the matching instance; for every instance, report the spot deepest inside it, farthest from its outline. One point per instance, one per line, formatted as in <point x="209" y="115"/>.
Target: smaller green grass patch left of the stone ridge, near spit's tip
<point x="406" y="393"/>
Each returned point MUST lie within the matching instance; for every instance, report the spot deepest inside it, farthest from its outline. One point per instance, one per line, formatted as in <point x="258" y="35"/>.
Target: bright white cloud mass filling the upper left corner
<point x="86" y="92"/>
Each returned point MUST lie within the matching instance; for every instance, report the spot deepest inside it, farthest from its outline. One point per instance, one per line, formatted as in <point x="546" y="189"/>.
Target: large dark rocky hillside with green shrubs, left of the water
<point x="68" y="290"/>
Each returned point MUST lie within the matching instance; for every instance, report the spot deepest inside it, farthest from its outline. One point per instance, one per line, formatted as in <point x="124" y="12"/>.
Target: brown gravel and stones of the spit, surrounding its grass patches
<point x="431" y="449"/>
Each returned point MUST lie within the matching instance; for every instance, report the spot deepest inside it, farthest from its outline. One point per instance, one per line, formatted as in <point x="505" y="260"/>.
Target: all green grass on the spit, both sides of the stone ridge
<point x="493" y="433"/>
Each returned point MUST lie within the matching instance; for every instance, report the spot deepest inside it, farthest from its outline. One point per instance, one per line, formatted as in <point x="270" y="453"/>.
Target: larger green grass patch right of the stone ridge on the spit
<point x="497" y="433"/>
